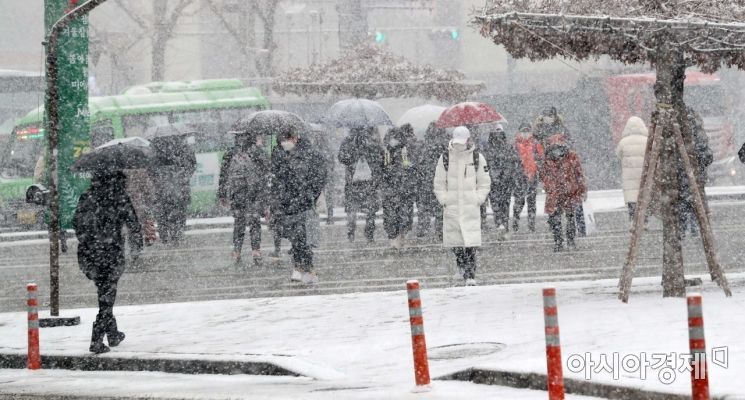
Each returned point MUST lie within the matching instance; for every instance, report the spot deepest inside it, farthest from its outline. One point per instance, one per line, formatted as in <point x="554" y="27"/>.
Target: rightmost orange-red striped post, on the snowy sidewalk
<point x="697" y="344"/>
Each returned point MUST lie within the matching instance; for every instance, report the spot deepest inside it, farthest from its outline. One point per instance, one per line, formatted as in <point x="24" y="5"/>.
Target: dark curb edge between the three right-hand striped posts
<point x="536" y="381"/>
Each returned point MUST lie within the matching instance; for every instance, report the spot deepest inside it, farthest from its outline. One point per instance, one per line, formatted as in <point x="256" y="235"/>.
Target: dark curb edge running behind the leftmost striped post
<point x="173" y="366"/>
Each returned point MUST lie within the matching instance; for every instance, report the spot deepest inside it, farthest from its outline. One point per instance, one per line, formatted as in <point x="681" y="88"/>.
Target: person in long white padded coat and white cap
<point x="462" y="185"/>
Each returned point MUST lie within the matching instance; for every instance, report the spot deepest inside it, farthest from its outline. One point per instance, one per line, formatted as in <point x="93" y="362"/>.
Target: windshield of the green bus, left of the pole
<point x="24" y="151"/>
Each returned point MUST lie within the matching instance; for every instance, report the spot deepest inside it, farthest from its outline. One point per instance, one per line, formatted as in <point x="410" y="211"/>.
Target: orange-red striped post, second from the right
<point x="555" y="376"/>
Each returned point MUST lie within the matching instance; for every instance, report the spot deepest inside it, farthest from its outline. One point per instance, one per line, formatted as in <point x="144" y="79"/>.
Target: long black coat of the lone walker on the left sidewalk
<point x="102" y="211"/>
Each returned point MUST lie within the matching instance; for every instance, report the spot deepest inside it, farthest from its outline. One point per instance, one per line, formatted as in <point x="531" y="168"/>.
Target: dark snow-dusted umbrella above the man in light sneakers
<point x="270" y="122"/>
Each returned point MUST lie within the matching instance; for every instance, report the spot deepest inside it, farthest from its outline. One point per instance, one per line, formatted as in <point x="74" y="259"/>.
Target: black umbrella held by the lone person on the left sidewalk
<point x="115" y="155"/>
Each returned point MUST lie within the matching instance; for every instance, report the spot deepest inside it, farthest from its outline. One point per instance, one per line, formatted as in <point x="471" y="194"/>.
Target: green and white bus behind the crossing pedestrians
<point x="207" y="108"/>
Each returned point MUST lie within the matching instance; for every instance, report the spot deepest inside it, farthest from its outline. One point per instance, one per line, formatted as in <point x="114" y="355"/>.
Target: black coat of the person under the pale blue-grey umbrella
<point x="362" y="195"/>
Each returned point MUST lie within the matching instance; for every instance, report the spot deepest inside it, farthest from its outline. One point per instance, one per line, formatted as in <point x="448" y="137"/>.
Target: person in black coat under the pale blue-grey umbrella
<point x="362" y="155"/>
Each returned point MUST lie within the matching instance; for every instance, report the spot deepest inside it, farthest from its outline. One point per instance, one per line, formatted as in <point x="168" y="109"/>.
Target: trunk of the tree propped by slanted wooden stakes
<point x="669" y="94"/>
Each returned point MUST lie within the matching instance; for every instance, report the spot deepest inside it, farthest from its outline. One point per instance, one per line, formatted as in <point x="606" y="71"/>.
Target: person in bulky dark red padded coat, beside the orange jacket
<point x="564" y="182"/>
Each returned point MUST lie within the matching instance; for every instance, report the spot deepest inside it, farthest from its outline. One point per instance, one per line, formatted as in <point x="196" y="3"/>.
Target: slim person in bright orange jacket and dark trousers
<point x="531" y="154"/>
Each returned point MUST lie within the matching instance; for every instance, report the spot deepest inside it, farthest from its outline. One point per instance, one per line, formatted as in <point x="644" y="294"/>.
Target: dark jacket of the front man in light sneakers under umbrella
<point x="298" y="177"/>
